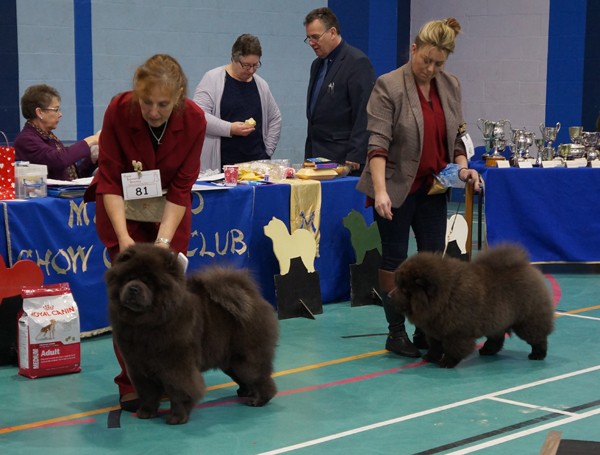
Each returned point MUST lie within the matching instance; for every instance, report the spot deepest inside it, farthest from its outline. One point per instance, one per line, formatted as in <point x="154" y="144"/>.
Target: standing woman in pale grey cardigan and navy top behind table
<point x="244" y="122"/>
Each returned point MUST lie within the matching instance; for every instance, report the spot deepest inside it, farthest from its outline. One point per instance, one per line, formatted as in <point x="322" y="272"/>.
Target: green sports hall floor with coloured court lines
<point x="340" y="392"/>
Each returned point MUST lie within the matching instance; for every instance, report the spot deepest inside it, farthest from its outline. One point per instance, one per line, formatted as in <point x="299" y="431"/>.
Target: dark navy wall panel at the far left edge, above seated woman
<point x="9" y="71"/>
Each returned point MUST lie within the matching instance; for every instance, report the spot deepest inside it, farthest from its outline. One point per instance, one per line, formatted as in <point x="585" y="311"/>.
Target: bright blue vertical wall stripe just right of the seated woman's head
<point x="84" y="77"/>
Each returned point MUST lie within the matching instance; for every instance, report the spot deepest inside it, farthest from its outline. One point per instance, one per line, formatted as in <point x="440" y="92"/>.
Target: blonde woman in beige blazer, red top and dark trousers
<point x="415" y="120"/>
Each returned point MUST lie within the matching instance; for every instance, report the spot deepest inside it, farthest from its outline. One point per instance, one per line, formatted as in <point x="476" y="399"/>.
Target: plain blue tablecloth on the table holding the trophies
<point x="552" y="212"/>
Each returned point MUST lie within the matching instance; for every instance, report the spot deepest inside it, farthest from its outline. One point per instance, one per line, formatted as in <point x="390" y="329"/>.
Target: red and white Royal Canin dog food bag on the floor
<point x="48" y="332"/>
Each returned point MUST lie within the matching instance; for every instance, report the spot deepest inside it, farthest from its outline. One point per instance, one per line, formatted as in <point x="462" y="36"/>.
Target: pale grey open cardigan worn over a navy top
<point x="208" y="96"/>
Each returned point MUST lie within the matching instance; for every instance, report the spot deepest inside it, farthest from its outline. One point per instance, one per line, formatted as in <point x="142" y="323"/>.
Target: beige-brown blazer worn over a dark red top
<point x="395" y="122"/>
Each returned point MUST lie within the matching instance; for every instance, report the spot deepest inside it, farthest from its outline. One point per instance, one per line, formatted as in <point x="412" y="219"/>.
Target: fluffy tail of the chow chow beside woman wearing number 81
<point x="232" y="289"/>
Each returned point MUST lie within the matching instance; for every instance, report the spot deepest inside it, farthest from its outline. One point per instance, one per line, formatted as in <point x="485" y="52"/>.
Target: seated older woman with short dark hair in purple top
<point x="37" y="144"/>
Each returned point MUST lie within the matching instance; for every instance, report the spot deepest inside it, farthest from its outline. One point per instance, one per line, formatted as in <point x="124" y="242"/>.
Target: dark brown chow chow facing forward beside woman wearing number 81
<point x="170" y="329"/>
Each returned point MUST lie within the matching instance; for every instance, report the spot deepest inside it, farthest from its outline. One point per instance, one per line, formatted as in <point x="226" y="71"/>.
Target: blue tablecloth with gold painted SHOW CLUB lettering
<point x="227" y="229"/>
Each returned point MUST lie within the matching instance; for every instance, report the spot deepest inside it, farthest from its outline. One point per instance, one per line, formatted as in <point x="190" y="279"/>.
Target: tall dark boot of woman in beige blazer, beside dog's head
<point x="397" y="340"/>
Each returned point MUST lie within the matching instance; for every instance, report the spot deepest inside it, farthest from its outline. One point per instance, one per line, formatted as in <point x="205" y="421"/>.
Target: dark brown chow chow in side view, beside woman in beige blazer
<point x="456" y="302"/>
